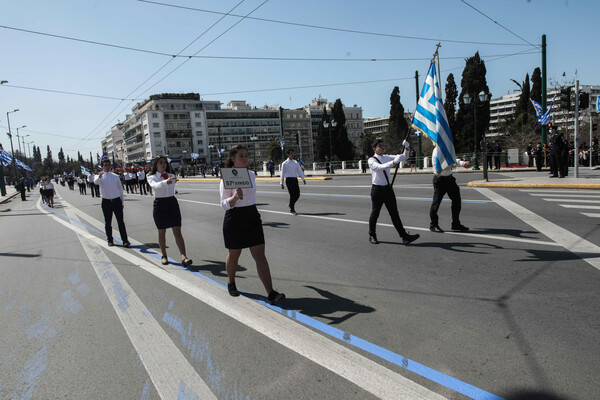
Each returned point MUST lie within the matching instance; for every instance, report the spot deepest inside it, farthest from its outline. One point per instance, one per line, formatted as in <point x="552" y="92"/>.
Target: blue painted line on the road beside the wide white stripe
<point x="396" y="359"/>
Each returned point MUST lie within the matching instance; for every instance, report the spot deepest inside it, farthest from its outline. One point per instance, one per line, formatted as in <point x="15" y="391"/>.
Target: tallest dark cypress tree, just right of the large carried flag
<point x="473" y="82"/>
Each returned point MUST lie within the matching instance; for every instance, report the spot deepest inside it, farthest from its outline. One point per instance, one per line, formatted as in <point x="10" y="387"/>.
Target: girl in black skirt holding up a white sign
<point x="242" y="227"/>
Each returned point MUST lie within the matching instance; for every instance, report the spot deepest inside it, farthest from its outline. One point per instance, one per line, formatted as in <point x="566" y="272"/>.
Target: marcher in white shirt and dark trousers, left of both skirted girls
<point x="111" y="191"/>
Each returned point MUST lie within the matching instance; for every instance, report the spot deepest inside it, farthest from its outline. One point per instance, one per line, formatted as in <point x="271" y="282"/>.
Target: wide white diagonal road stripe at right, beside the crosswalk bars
<point x="565" y="238"/>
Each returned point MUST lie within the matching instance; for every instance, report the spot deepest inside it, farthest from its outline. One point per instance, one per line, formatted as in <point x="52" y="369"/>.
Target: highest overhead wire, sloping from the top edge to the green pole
<point x="335" y="29"/>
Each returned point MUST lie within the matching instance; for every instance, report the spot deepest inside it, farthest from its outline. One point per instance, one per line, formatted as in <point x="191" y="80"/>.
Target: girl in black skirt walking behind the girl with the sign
<point x="166" y="208"/>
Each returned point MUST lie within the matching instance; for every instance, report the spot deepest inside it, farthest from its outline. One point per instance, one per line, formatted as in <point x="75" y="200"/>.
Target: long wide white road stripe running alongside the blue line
<point x="363" y="372"/>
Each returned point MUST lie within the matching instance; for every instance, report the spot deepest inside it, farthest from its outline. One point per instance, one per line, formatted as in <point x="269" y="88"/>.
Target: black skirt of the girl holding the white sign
<point x="242" y="228"/>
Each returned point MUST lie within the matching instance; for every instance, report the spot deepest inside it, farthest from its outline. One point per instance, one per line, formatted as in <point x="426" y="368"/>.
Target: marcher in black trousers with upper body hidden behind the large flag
<point x="446" y="183"/>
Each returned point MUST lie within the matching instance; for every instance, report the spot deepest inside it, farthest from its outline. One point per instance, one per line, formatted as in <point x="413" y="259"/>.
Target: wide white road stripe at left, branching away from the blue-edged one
<point x="166" y="366"/>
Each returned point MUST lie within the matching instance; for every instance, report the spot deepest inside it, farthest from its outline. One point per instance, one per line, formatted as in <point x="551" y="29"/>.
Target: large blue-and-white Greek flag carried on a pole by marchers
<point x="430" y="119"/>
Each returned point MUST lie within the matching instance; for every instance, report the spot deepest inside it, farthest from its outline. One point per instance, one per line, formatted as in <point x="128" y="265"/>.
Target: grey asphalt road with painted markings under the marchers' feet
<point x="511" y="305"/>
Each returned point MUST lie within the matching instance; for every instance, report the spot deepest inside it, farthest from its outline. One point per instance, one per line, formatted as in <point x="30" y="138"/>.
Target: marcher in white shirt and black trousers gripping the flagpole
<point x="382" y="191"/>
